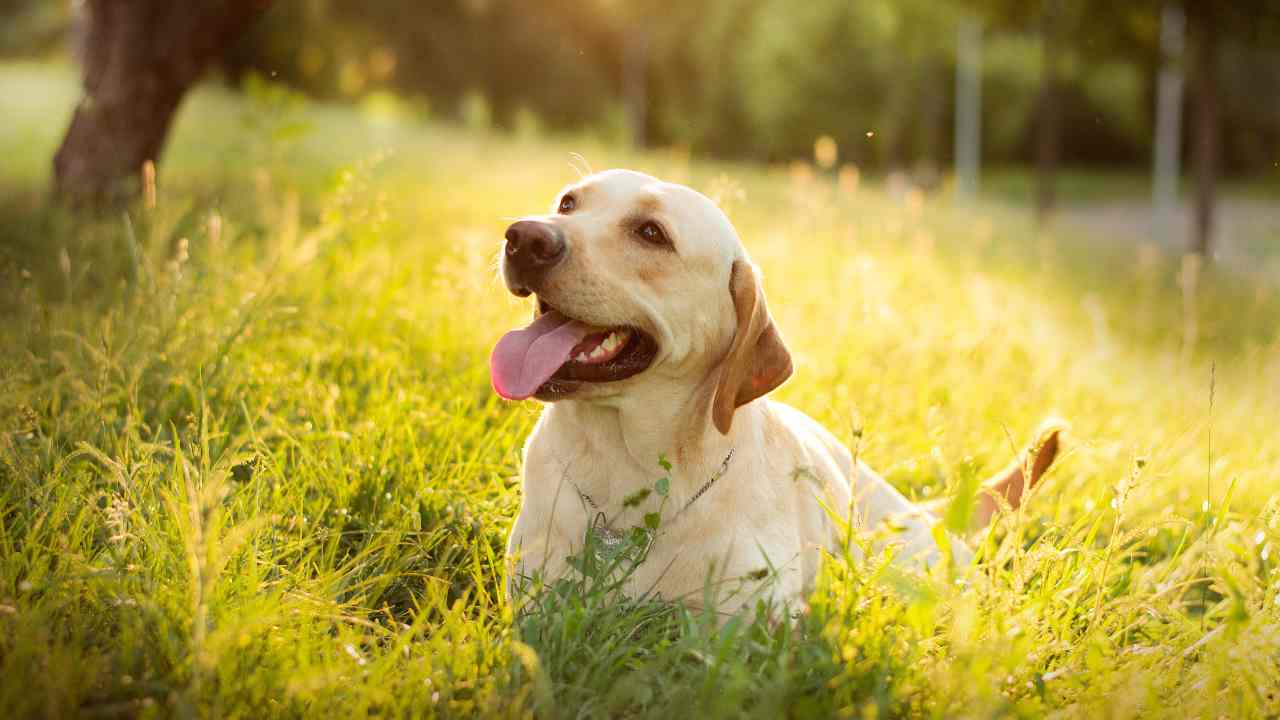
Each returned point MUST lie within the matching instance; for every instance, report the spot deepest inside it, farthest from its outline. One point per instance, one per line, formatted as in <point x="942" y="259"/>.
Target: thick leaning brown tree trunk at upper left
<point x="140" y="58"/>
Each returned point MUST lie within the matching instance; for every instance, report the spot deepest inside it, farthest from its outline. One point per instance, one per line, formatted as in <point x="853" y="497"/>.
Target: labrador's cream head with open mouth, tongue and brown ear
<point x="642" y="286"/>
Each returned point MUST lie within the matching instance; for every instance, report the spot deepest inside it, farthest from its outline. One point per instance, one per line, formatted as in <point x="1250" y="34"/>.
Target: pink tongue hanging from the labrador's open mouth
<point x="525" y="359"/>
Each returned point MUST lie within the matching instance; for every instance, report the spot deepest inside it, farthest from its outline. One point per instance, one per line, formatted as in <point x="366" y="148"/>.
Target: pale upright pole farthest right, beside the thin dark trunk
<point x="1169" y="119"/>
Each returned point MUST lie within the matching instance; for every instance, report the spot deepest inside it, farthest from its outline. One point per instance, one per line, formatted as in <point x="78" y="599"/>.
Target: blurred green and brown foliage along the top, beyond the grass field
<point x="755" y="79"/>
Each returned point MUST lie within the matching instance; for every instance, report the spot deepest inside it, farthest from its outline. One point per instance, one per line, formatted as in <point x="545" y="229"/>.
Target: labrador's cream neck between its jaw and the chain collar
<point x="675" y="426"/>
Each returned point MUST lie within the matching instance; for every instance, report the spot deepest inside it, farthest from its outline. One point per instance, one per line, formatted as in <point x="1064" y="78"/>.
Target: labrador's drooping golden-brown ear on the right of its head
<point x="757" y="362"/>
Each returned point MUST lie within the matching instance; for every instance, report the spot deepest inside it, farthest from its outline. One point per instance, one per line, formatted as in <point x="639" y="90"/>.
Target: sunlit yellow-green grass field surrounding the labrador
<point x="252" y="466"/>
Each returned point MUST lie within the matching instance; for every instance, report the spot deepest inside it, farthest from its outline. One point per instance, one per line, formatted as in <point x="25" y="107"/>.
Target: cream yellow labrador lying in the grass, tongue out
<point x="652" y="340"/>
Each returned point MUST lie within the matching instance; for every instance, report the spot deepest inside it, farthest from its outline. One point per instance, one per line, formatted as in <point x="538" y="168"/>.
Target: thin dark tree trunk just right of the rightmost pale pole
<point x="1208" y="134"/>
